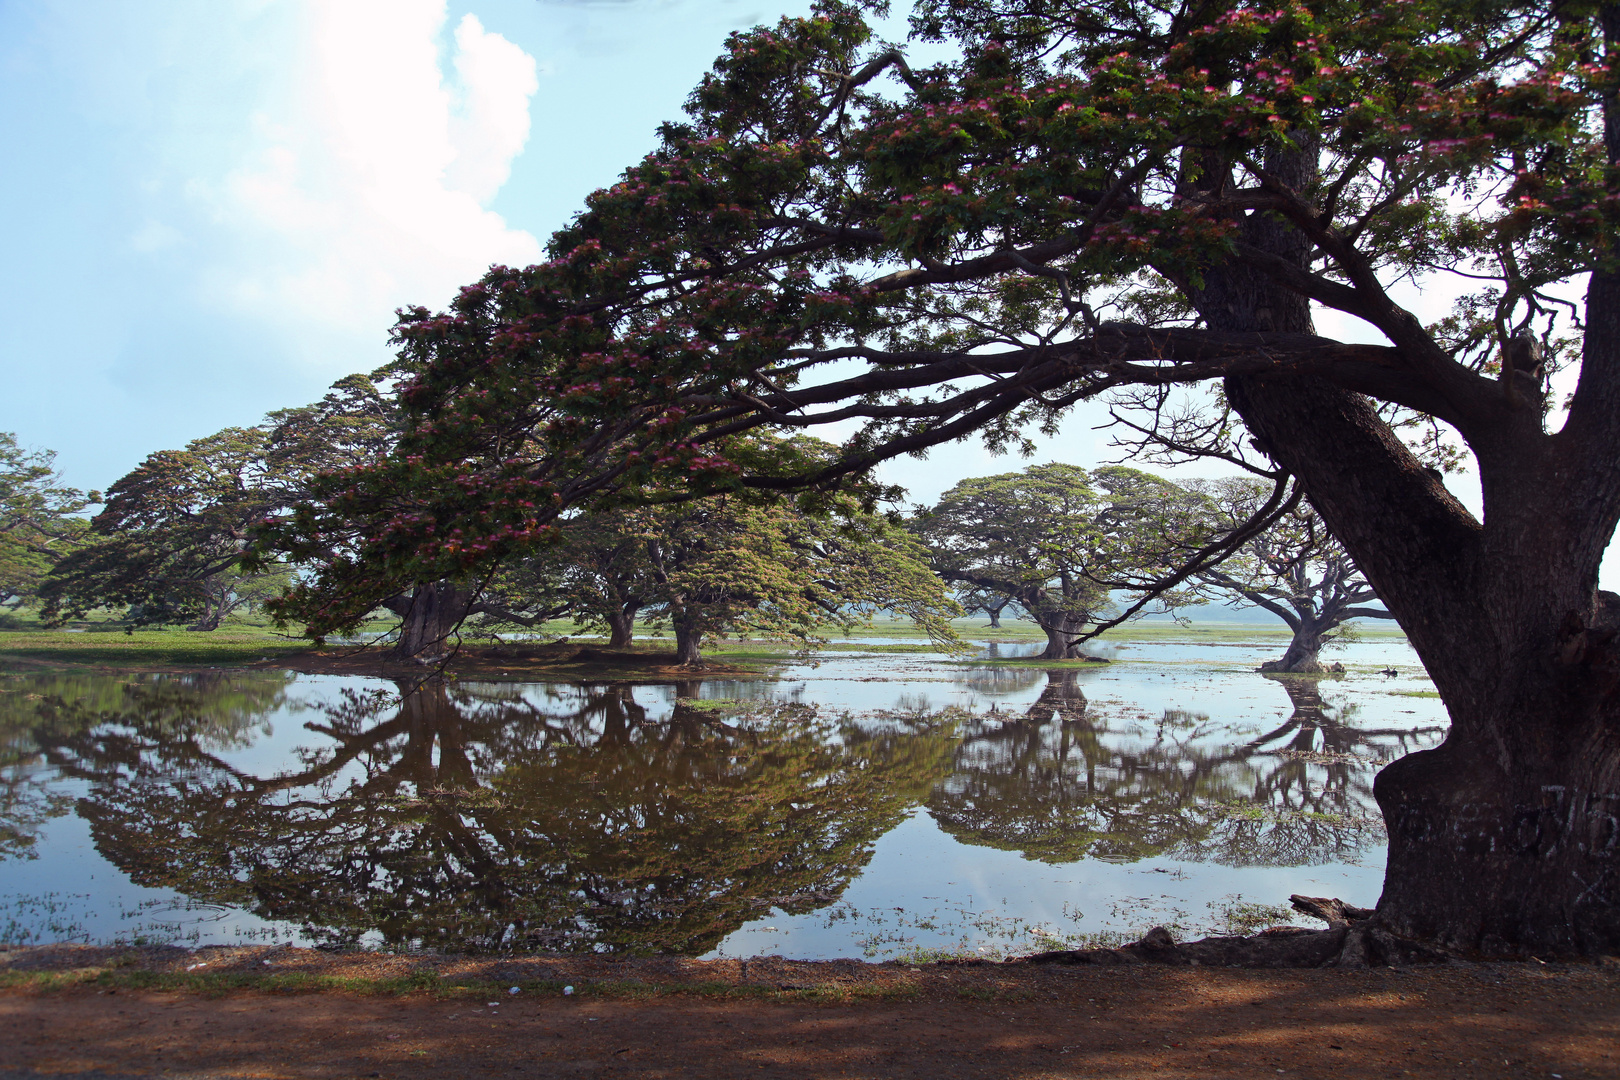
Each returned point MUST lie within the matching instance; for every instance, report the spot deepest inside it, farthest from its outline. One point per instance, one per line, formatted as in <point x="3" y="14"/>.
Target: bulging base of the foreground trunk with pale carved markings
<point x="1493" y="861"/>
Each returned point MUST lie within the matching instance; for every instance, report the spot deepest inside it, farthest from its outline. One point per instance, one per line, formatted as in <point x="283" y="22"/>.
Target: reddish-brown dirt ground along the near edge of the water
<point x="670" y="1018"/>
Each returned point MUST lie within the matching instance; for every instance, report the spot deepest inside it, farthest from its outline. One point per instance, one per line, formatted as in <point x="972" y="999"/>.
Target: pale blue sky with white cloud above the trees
<point x="213" y="208"/>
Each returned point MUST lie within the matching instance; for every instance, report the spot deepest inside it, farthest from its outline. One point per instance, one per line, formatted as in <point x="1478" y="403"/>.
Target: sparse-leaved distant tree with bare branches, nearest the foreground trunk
<point x="1295" y="571"/>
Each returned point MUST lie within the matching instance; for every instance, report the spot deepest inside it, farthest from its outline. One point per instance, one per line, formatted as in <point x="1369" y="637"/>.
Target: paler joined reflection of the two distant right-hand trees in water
<point x="1060" y="784"/>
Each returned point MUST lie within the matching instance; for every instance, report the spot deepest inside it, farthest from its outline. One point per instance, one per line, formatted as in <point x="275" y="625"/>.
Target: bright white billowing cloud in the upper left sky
<point x="370" y="168"/>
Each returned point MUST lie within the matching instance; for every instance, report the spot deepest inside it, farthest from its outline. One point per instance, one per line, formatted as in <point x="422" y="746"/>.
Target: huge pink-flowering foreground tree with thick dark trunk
<point x="1106" y="195"/>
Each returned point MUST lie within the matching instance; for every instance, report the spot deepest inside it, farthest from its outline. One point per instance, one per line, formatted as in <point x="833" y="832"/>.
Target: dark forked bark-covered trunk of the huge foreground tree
<point x="1506" y="840"/>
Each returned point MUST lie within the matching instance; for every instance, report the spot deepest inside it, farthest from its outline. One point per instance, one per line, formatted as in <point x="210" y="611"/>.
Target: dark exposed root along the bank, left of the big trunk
<point x="1354" y="940"/>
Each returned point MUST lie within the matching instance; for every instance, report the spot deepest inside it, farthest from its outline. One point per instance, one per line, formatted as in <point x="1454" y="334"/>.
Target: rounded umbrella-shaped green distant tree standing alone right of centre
<point x="1059" y="540"/>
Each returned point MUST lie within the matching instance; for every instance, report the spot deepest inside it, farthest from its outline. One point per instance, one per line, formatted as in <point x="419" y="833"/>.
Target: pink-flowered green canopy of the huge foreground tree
<point x="963" y="232"/>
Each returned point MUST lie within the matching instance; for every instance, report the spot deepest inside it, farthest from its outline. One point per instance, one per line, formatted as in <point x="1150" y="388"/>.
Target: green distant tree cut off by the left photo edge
<point x="40" y="519"/>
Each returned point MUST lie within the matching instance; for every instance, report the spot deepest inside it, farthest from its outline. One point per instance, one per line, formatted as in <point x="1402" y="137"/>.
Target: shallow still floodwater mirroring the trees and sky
<point x="864" y="806"/>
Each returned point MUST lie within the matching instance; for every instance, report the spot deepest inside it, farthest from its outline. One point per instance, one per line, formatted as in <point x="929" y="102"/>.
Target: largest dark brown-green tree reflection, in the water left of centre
<point x="497" y="817"/>
